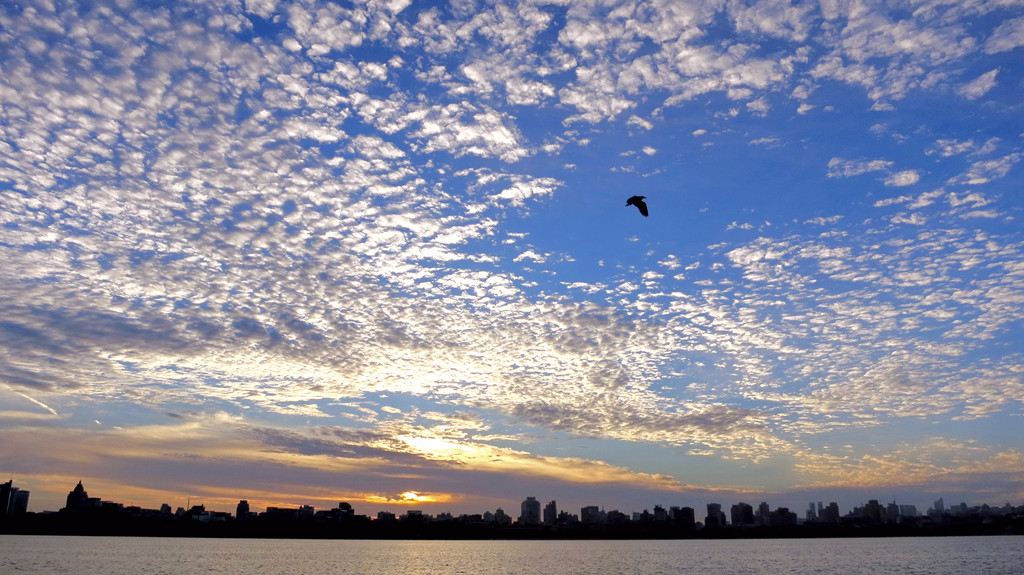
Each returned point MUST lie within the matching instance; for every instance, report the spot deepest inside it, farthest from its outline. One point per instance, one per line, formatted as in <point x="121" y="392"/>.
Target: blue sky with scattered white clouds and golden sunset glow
<point x="378" y="252"/>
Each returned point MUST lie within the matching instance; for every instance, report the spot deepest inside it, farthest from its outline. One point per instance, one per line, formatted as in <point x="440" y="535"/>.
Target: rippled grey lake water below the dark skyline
<point x="116" y="556"/>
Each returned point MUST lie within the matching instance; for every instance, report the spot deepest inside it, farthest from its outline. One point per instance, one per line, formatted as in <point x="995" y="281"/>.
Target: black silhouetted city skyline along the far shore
<point x="96" y="516"/>
